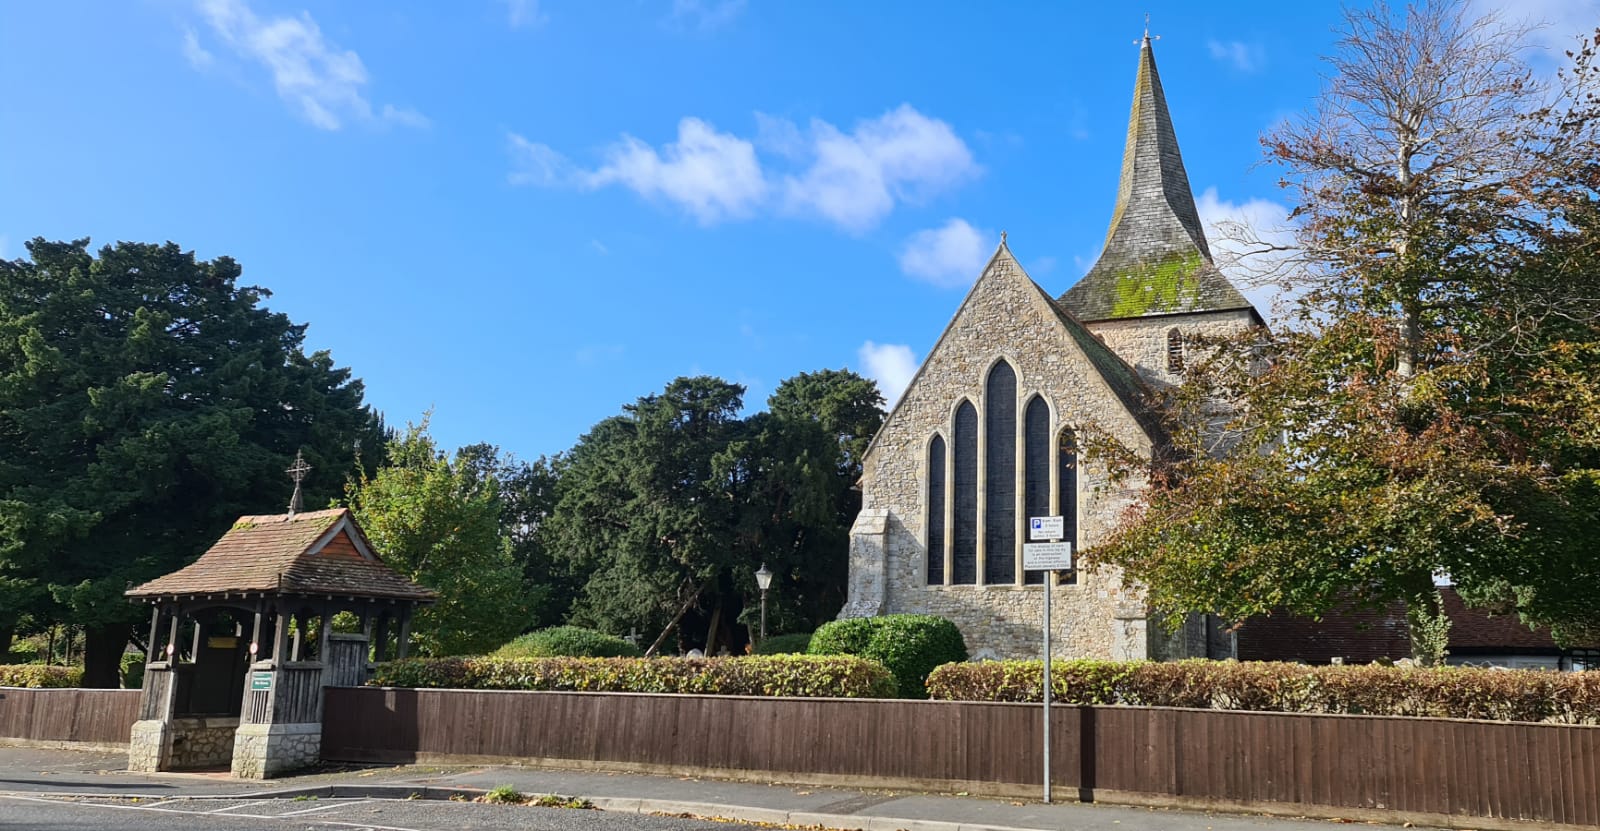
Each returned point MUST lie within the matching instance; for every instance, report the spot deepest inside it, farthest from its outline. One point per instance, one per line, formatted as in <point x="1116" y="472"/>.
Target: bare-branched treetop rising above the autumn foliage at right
<point x="1431" y="161"/>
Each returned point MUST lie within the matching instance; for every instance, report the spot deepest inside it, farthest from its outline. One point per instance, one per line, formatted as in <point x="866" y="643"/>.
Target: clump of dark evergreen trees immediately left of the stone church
<point x="668" y="510"/>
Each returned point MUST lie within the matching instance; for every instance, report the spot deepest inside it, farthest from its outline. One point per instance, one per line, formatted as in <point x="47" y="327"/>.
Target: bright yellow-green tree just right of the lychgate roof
<point x="439" y="521"/>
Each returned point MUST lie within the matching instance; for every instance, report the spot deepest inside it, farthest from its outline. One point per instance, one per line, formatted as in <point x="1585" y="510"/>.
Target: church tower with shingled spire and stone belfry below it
<point x="1154" y="284"/>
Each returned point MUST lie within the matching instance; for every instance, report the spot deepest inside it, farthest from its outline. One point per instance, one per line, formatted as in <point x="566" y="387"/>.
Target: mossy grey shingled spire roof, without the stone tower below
<point x="1156" y="259"/>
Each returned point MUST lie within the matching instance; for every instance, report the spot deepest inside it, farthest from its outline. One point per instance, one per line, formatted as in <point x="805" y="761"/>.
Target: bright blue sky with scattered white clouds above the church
<point x="522" y="215"/>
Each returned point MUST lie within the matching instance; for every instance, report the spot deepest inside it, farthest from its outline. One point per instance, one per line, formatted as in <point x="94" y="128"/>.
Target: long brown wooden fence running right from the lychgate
<point x="1265" y="761"/>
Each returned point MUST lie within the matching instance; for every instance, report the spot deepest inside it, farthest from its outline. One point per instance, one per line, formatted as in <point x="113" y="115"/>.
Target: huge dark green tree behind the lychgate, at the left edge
<point x="146" y="401"/>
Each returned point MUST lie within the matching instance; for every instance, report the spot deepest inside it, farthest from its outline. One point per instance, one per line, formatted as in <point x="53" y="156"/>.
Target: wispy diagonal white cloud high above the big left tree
<point x="318" y="79"/>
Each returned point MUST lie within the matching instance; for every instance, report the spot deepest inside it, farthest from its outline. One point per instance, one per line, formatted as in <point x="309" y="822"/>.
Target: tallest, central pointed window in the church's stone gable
<point x="1001" y="475"/>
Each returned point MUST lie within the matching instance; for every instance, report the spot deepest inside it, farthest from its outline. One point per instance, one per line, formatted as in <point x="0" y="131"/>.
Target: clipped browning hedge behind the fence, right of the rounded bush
<point x="1455" y="692"/>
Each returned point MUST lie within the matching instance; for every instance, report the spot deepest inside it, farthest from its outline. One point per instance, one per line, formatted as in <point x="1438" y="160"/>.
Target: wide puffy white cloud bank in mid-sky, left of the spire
<point x="854" y="180"/>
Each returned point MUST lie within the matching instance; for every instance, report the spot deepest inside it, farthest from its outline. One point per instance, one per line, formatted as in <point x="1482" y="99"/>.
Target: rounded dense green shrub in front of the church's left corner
<point x="910" y="646"/>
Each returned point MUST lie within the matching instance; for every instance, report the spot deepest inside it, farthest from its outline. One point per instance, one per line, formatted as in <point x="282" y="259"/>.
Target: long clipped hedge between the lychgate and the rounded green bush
<point x="761" y="675"/>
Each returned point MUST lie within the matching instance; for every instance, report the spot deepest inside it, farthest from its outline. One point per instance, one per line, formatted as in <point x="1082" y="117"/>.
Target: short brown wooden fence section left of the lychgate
<point x="81" y="717"/>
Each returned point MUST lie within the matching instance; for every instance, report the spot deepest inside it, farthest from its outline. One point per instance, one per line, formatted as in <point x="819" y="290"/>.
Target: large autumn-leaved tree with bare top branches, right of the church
<point x="1415" y="414"/>
